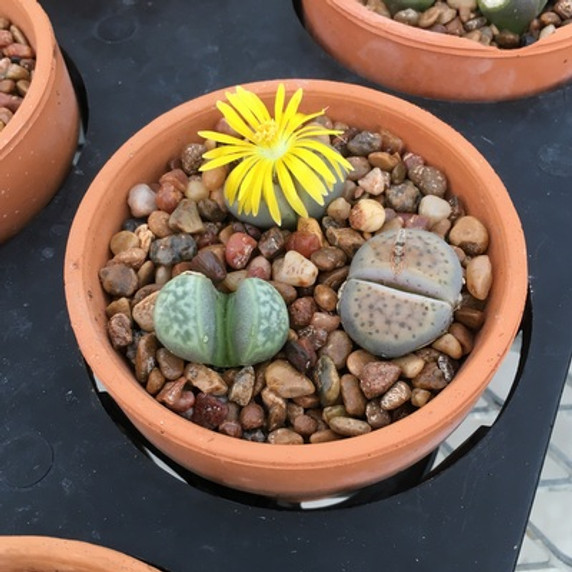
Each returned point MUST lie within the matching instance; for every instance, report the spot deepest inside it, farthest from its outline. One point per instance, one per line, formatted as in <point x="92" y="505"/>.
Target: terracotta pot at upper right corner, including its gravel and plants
<point x="421" y="56"/>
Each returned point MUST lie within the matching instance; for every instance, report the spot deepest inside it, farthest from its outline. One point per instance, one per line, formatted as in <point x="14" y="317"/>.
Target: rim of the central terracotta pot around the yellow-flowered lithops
<point x="428" y="420"/>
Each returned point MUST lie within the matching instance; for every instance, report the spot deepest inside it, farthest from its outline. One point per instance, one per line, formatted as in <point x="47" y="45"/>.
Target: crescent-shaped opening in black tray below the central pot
<point x="423" y="470"/>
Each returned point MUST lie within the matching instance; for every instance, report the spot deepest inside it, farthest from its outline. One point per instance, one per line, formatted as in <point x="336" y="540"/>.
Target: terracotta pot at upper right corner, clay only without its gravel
<point x="420" y="62"/>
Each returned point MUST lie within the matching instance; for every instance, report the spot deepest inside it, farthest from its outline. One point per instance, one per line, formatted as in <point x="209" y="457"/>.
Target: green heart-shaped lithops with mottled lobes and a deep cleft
<point x="198" y="323"/>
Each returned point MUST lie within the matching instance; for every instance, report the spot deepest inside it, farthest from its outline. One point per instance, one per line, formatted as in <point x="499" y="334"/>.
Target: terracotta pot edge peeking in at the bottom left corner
<point x="46" y="554"/>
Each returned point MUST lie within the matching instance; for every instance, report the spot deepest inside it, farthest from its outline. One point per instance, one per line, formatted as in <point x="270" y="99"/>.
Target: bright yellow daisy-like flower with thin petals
<point x="280" y="148"/>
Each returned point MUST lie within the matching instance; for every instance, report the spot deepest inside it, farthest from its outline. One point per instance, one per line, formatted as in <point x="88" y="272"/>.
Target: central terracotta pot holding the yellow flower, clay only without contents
<point x="306" y="471"/>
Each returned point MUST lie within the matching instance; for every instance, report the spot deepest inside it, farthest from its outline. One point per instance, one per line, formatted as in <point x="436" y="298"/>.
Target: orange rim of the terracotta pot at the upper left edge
<point x="44" y="44"/>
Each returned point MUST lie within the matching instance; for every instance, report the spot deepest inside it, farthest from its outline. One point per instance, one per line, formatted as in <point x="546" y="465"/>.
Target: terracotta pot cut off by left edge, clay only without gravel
<point x="38" y="143"/>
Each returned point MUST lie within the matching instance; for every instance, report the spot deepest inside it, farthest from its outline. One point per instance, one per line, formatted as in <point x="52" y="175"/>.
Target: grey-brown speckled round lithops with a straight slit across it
<point x="401" y="291"/>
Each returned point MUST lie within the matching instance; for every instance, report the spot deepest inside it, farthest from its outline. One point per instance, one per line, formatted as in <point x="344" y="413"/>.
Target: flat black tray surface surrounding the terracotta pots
<point x="68" y="469"/>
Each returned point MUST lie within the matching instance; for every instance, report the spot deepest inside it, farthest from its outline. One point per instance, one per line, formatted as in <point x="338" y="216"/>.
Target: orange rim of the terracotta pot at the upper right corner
<point x="431" y="41"/>
